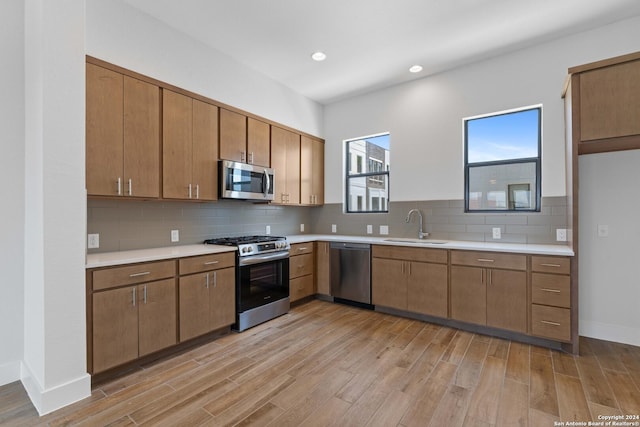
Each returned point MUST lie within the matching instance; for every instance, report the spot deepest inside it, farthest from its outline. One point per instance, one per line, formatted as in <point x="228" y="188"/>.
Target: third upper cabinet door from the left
<point x="177" y="118"/>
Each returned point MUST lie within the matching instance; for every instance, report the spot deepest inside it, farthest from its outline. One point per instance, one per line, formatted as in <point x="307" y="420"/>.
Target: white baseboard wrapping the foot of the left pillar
<point x="49" y="400"/>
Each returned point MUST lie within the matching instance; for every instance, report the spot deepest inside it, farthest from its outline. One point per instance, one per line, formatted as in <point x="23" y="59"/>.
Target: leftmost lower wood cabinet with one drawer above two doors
<point x="132" y="321"/>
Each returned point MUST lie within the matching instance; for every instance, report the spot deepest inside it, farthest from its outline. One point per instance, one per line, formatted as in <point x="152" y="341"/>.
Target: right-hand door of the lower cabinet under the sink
<point x="427" y="289"/>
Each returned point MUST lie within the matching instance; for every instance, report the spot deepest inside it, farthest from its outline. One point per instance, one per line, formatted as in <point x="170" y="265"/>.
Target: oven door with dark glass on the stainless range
<point x="262" y="279"/>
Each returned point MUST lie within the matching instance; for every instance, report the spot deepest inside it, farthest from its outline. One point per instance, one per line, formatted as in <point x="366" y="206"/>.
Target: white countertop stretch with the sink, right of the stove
<point x="524" y="248"/>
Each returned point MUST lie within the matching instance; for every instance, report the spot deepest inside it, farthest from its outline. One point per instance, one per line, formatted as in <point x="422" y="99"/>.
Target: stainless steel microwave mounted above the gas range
<point x="245" y="182"/>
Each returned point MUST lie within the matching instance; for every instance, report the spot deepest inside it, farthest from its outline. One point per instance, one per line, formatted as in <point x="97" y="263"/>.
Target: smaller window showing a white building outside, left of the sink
<point x="367" y="182"/>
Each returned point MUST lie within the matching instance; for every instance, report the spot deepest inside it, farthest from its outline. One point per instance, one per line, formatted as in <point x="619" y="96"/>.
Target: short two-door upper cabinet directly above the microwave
<point x="243" y="139"/>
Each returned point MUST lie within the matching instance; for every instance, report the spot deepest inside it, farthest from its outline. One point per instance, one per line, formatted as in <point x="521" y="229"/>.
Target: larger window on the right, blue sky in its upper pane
<point x="502" y="161"/>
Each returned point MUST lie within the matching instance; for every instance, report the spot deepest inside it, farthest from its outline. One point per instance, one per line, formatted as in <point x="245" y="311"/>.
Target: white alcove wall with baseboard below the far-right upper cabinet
<point x="609" y="281"/>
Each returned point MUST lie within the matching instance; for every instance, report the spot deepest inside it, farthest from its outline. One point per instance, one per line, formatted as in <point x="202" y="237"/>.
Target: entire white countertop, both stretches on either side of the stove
<point x="107" y="259"/>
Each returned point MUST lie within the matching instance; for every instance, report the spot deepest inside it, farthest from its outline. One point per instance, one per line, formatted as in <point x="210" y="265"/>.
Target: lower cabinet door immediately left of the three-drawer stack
<point x="507" y="300"/>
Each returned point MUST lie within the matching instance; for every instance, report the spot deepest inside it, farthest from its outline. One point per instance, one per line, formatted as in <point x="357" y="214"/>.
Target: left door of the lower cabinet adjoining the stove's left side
<point x="194" y="305"/>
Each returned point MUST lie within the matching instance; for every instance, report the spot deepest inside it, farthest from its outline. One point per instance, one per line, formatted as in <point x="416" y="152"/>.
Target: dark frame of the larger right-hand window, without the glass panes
<point x="536" y="160"/>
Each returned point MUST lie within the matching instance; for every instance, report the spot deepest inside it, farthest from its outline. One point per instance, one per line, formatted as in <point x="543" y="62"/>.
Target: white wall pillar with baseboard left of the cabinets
<point x="54" y="361"/>
